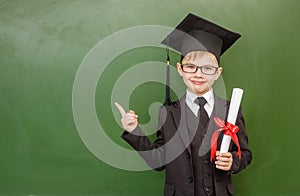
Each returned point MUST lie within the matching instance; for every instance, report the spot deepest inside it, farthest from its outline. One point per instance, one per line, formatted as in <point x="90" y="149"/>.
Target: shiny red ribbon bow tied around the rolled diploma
<point x="228" y="129"/>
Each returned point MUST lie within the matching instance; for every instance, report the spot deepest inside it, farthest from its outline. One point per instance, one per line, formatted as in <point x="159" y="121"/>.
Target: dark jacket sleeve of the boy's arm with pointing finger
<point x="152" y="152"/>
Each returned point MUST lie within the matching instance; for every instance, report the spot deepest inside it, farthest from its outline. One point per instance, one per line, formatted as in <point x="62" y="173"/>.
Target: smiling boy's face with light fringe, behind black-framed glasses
<point x="199" y="83"/>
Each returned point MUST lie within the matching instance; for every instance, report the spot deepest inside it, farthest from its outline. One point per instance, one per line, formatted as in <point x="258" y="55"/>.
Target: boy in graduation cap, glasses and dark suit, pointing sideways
<point x="185" y="128"/>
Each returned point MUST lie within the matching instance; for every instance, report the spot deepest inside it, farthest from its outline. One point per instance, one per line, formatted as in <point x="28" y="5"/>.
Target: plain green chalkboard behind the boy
<point x="45" y="44"/>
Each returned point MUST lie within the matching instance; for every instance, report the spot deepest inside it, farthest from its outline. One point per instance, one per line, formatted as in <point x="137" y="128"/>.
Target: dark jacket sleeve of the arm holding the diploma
<point x="246" y="158"/>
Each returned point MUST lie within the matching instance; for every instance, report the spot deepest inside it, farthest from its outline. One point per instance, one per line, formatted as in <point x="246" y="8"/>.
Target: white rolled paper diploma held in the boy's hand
<point x="235" y="102"/>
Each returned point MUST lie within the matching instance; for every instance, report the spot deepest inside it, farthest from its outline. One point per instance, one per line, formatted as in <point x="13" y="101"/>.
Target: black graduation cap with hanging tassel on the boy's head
<point x="197" y="34"/>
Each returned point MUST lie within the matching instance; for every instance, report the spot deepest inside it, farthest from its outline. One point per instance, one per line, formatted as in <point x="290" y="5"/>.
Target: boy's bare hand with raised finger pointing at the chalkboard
<point x="129" y="120"/>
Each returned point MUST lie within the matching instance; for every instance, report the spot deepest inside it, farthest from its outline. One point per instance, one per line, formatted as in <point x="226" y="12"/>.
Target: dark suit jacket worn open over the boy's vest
<point x="171" y="150"/>
